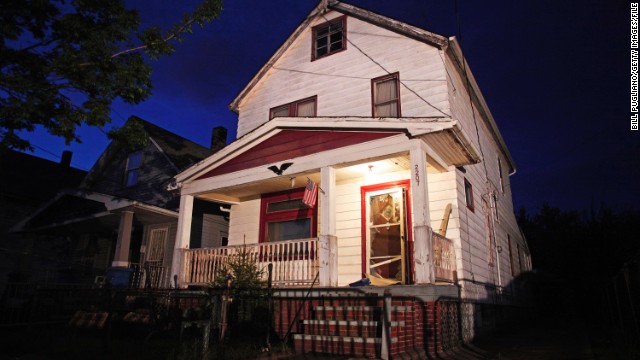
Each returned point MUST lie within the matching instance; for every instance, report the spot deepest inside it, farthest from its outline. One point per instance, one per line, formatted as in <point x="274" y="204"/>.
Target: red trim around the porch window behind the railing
<point x="310" y="213"/>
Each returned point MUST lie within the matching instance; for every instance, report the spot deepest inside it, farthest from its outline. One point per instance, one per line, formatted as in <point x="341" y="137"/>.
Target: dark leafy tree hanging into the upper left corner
<point x="63" y="63"/>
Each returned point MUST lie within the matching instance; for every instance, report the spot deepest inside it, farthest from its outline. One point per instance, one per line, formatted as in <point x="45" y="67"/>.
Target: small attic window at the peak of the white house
<point x="329" y="38"/>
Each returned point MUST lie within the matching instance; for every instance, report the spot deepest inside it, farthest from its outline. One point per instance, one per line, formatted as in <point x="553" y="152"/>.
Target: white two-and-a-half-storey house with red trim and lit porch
<point x="413" y="174"/>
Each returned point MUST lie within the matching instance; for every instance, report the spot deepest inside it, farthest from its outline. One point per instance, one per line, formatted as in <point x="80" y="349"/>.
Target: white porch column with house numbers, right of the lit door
<point x="422" y="246"/>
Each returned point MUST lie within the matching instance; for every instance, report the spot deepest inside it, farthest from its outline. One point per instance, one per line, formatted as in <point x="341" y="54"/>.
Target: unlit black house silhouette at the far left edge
<point x="24" y="188"/>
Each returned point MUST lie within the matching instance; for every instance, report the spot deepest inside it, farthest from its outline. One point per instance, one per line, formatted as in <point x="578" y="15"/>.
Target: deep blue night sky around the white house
<point x="554" y="73"/>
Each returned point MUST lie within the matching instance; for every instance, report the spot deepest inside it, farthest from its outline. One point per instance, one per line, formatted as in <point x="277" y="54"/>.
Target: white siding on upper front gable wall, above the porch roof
<point x="342" y="81"/>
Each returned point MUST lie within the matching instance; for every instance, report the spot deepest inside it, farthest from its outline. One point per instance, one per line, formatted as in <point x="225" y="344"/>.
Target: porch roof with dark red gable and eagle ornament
<point x="245" y="168"/>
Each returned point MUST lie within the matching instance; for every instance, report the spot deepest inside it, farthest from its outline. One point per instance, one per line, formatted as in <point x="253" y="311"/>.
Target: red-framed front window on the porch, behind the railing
<point x="285" y="217"/>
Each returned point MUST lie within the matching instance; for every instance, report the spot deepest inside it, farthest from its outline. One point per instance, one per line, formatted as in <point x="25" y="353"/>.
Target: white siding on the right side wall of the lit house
<point x="476" y="272"/>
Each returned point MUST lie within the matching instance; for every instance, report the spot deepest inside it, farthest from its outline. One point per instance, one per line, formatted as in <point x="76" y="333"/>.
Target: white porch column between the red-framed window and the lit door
<point x="328" y="253"/>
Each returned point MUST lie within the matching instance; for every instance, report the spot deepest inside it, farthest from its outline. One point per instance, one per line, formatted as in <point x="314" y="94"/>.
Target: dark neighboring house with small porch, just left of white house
<point x="123" y="214"/>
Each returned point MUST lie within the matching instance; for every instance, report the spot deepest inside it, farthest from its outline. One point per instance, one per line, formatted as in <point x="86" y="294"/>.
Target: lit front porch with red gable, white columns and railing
<point x="380" y="194"/>
